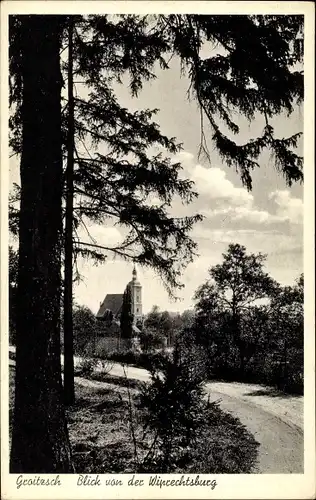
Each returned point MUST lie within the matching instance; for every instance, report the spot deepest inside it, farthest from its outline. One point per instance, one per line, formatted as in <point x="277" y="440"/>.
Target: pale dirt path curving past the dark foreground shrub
<point x="275" y="419"/>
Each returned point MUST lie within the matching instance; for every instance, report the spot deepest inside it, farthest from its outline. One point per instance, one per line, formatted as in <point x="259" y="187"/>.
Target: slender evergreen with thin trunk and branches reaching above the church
<point x="118" y="186"/>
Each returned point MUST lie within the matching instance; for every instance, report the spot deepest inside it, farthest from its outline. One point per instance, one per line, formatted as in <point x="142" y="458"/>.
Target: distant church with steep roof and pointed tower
<point x="111" y="307"/>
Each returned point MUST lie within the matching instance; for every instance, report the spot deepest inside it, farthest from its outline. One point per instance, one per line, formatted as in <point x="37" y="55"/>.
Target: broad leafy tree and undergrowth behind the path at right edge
<point x="244" y="336"/>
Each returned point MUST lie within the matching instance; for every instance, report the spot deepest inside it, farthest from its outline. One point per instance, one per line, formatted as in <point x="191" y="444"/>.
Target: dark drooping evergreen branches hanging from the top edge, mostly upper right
<point x="252" y="71"/>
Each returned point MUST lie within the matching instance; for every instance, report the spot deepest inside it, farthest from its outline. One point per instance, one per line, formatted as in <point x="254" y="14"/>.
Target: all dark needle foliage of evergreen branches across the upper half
<point x="123" y="160"/>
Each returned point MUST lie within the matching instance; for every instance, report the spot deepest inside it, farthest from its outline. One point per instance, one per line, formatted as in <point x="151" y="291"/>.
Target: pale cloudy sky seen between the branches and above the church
<point x="267" y="220"/>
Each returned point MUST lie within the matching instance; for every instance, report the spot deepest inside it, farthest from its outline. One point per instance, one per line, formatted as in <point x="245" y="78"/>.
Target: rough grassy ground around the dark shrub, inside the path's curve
<point x="100" y="434"/>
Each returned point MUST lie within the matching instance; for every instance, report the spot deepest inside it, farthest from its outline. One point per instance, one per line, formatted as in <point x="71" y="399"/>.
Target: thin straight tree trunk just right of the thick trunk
<point x="69" y="388"/>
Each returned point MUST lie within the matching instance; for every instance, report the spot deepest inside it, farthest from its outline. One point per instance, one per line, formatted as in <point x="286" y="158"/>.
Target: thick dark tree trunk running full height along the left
<point x="40" y="442"/>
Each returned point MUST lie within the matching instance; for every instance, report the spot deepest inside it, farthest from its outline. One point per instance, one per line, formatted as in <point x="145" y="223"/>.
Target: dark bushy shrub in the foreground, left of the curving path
<point x="173" y="410"/>
